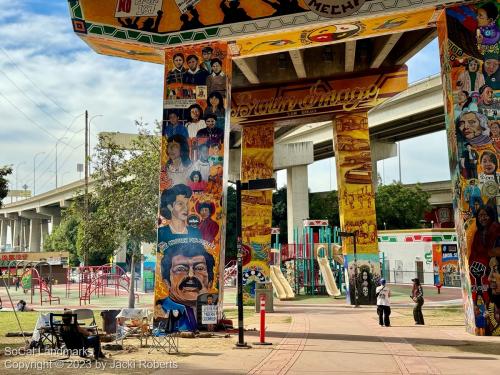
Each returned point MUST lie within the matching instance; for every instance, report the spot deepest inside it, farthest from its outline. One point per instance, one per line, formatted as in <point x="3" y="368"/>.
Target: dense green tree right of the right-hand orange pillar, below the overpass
<point x="401" y="207"/>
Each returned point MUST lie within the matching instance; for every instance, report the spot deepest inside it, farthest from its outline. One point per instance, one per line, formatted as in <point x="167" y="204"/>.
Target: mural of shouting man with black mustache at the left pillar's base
<point x="188" y="270"/>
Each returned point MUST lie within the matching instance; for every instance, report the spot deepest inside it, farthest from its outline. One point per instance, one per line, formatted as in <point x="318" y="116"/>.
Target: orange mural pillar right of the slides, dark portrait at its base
<point x="357" y="206"/>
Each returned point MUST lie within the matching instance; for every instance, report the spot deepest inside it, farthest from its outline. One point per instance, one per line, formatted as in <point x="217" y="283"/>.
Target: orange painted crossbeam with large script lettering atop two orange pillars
<point x="316" y="98"/>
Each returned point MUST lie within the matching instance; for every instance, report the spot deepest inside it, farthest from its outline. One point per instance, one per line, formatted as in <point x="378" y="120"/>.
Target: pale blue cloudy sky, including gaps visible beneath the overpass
<point x="49" y="77"/>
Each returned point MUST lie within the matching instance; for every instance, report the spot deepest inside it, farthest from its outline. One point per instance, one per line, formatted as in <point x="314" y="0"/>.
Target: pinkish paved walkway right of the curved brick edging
<point x="344" y="340"/>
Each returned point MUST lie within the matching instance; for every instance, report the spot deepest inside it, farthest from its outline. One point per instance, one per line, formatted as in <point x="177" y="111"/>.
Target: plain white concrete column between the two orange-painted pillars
<point x="297" y="199"/>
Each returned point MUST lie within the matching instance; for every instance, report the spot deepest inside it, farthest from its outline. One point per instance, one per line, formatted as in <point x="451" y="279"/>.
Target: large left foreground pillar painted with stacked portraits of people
<point x="190" y="239"/>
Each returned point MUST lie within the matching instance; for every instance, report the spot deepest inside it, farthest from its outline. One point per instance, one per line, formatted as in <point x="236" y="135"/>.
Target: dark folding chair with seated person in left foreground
<point x="65" y="330"/>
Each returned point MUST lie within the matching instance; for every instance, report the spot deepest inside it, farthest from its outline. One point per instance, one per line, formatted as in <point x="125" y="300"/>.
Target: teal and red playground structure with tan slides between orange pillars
<point x="314" y="263"/>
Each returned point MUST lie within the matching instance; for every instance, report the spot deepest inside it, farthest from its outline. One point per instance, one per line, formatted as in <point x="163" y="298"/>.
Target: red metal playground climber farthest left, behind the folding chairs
<point x="33" y="277"/>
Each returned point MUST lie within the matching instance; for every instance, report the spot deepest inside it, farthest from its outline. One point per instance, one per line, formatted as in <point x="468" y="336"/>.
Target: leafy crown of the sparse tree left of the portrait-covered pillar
<point x="124" y="204"/>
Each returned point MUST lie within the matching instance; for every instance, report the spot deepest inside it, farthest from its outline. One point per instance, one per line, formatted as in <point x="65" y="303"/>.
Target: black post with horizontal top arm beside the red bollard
<point x="262" y="184"/>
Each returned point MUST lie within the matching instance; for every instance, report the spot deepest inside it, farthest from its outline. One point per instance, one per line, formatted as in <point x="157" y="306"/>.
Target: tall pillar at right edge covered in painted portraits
<point x="473" y="154"/>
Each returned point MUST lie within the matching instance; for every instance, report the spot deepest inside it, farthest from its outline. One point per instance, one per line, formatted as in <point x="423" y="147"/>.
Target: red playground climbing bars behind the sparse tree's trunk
<point x="97" y="280"/>
